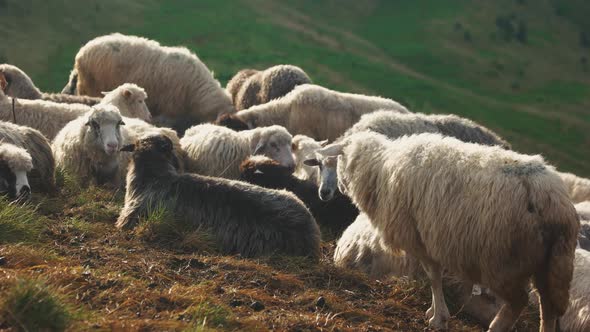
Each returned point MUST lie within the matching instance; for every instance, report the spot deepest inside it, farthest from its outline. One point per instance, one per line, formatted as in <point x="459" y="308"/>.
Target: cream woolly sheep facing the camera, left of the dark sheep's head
<point x="88" y="147"/>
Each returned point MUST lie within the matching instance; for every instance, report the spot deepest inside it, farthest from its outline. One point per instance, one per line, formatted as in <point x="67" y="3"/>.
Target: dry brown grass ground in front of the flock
<point x="140" y="281"/>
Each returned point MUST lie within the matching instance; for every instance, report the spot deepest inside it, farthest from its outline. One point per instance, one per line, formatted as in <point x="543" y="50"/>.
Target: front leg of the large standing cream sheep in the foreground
<point x="438" y="313"/>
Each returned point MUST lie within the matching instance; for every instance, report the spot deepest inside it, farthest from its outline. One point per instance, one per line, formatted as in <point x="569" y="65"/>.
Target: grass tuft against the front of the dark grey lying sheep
<point x="161" y="227"/>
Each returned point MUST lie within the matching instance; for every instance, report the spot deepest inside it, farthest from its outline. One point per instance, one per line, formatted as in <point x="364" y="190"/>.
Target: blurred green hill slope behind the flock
<point x="520" y="67"/>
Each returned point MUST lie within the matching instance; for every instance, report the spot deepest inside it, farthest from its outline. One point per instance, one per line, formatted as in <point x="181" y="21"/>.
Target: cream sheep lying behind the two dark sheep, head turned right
<point x="218" y="151"/>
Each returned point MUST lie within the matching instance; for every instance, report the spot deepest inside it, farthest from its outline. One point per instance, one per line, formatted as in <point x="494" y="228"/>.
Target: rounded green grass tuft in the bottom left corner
<point x="33" y="306"/>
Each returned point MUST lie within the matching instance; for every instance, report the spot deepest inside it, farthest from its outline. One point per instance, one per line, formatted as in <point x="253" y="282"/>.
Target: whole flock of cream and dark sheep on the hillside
<point x="415" y="195"/>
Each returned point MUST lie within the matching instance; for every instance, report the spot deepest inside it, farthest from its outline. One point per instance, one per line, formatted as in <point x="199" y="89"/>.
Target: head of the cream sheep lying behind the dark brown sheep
<point x="275" y="143"/>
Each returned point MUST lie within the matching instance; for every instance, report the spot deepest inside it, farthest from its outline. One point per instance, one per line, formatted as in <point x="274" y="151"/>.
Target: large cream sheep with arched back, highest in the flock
<point x="182" y="90"/>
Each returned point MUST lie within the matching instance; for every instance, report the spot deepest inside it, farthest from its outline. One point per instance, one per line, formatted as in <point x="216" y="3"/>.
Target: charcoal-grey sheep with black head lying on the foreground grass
<point x="244" y="219"/>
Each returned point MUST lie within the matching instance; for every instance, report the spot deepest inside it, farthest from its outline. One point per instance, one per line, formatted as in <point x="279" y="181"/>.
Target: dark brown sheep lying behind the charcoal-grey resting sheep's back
<point x="335" y="215"/>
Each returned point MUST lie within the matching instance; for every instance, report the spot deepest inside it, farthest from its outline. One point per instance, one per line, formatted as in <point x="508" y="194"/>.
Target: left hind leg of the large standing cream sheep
<point x="516" y="300"/>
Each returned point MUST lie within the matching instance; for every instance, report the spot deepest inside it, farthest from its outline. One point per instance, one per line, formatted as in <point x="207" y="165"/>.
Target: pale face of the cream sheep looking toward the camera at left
<point x="104" y="131"/>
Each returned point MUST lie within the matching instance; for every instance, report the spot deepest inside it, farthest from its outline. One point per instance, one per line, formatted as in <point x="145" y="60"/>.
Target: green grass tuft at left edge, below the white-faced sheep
<point x="19" y="222"/>
